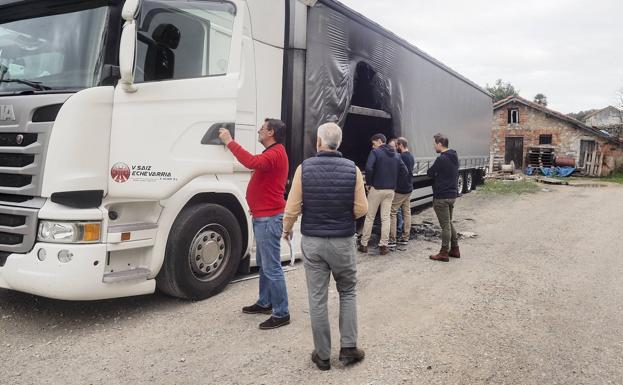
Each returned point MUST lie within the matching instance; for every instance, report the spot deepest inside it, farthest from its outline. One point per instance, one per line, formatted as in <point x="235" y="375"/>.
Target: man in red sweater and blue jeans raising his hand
<point x="265" y="196"/>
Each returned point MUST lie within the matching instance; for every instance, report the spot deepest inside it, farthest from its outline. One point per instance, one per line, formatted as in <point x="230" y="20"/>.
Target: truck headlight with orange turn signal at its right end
<point x="69" y="232"/>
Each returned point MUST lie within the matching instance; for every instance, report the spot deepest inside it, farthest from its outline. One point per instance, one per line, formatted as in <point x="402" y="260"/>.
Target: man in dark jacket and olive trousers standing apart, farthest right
<point x="445" y="174"/>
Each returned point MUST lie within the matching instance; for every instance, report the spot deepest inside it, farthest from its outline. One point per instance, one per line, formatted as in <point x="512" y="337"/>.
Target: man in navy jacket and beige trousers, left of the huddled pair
<point x="382" y="170"/>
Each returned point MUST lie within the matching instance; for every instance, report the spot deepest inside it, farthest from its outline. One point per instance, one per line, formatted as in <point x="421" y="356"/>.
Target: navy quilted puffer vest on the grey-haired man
<point x="328" y="196"/>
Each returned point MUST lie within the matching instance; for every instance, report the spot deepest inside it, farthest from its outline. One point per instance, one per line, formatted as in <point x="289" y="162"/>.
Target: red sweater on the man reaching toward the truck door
<point x="267" y="187"/>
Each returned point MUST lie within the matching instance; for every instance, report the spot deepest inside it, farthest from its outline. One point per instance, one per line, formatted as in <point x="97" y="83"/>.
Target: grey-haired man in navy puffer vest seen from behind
<point x="329" y="192"/>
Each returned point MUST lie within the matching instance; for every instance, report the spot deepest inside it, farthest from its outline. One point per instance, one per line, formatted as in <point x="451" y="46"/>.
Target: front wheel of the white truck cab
<point x="202" y="254"/>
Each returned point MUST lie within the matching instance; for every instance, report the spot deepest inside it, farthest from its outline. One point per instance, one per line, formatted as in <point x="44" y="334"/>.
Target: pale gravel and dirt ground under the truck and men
<point x="536" y="299"/>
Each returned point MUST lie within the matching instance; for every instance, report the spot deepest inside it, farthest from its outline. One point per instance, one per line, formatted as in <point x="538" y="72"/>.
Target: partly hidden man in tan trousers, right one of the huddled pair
<point x="402" y="196"/>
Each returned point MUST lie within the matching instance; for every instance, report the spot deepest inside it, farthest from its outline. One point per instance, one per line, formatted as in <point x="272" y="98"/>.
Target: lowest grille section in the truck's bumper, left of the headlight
<point x="18" y="227"/>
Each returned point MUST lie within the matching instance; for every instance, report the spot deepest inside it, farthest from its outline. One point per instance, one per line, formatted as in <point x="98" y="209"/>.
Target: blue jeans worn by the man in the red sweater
<point x="273" y="291"/>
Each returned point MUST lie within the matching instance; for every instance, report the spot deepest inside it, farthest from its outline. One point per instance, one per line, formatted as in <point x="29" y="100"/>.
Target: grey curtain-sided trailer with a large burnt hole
<point x="351" y="70"/>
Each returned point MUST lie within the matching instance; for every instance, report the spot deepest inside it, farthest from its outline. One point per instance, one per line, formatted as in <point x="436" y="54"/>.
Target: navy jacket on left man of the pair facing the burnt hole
<point x="383" y="167"/>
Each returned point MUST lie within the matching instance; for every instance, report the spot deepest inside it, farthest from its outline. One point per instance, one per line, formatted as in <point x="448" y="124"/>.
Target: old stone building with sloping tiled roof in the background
<point x="523" y="129"/>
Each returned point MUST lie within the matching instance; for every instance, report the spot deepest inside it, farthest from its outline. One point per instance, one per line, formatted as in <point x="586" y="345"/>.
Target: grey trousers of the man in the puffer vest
<point x="323" y="257"/>
